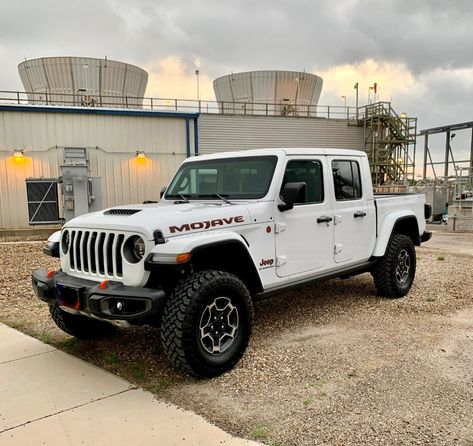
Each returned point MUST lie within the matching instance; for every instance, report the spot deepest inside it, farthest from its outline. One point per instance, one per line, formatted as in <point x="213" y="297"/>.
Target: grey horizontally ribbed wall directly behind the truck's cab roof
<point x="220" y="133"/>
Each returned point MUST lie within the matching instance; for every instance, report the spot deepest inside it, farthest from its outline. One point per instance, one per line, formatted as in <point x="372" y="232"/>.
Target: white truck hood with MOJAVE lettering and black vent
<point x="171" y="219"/>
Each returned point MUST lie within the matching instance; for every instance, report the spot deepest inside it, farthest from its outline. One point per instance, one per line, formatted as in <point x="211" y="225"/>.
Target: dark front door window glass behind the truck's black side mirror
<point x="309" y="172"/>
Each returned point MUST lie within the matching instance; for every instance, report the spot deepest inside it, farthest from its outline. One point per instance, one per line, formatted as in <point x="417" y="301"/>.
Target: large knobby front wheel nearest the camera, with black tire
<point x="187" y="330"/>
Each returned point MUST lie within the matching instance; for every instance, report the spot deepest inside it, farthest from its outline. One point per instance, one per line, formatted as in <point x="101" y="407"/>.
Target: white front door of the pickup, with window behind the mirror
<point x="304" y="234"/>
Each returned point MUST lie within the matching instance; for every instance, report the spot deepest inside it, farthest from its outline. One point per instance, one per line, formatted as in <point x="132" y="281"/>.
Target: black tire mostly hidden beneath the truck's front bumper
<point x="81" y="327"/>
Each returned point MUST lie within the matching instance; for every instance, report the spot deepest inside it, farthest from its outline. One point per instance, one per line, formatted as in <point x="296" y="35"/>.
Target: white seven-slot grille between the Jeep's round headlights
<point x="96" y="252"/>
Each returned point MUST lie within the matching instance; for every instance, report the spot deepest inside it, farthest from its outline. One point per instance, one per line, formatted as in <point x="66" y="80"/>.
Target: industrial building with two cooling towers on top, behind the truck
<point x="135" y="147"/>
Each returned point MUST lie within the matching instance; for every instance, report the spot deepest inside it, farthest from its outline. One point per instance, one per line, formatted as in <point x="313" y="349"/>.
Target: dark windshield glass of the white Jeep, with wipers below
<point x="243" y="177"/>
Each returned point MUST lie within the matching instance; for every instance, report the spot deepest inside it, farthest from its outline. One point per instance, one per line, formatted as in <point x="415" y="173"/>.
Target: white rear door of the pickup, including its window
<point x="354" y="216"/>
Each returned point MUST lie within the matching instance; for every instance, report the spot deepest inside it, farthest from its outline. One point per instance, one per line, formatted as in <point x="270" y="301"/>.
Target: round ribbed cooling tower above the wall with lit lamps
<point x="83" y="81"/>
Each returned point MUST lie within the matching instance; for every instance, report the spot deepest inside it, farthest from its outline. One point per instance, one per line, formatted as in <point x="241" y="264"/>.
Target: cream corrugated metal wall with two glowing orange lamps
<point x="111" y="141"/>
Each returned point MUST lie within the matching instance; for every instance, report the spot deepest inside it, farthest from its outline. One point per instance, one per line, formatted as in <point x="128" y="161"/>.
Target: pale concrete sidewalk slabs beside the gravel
<point x="49" y="397"/>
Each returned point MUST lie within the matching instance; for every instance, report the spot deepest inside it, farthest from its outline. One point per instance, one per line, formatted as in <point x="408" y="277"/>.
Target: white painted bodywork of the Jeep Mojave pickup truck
<point x="286" y="247"/>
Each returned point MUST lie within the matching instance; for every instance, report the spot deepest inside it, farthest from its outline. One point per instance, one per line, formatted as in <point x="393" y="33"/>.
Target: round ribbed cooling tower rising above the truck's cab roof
<point x="271" y="92"/>
